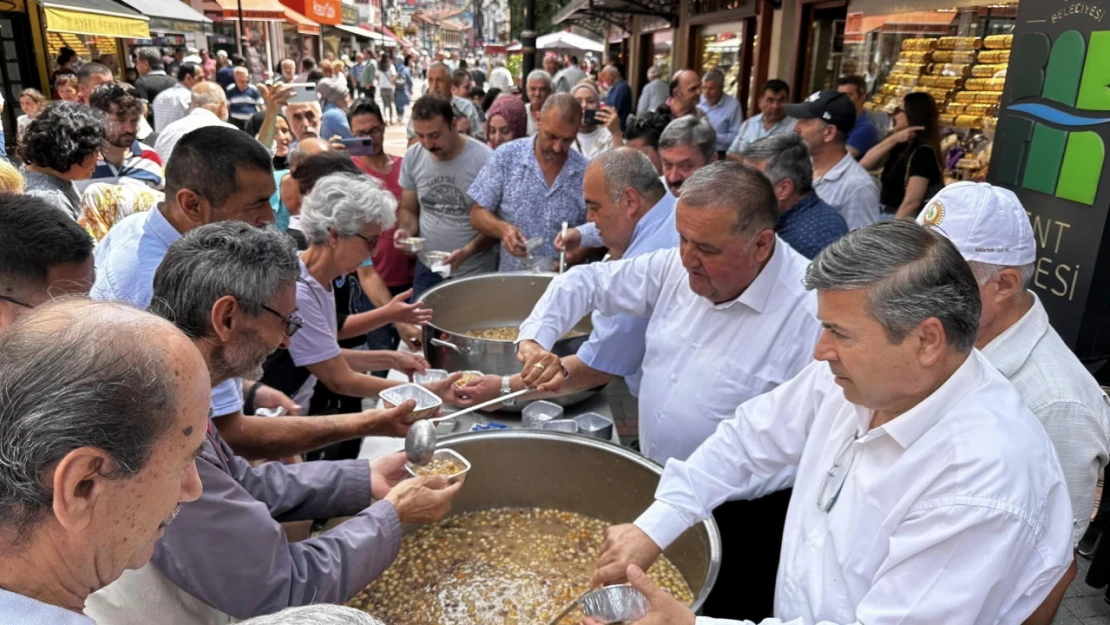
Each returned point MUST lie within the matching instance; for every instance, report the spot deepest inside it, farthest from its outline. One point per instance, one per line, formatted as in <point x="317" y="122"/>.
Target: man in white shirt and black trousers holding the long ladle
<point x="729" y="319"/>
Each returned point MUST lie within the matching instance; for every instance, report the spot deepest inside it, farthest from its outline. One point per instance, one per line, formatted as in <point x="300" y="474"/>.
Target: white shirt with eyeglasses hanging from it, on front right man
<point x="955" y="512"/>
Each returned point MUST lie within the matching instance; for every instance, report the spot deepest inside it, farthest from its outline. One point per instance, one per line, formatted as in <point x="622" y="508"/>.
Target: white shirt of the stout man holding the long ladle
<point x="702" y="360"/>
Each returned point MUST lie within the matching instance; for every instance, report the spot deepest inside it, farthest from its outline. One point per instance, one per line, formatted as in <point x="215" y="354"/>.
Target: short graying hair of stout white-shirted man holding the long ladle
<point x="728" y="184"/>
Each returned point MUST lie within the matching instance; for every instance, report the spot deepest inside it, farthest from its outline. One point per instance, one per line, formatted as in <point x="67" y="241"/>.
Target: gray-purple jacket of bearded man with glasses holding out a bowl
<point x="228" y="549"/>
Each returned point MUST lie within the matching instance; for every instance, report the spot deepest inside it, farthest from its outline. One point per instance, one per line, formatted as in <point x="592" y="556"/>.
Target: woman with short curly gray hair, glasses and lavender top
<point x="342" y="219"/>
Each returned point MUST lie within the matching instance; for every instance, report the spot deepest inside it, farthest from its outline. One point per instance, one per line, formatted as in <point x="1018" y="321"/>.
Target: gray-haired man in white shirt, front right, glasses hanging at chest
<point x="924" y="490"/>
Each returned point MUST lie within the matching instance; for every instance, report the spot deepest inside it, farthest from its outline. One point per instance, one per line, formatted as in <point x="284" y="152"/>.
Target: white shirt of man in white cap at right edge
<point x="1064" y="397"/>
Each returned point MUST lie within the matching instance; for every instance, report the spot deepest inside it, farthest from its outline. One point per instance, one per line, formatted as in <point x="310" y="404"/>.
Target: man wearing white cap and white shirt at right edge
<point x="992" y="230"/>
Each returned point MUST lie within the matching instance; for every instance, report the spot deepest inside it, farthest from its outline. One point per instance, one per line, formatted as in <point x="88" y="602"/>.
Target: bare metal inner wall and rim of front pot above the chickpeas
<point x="540" y="469"/>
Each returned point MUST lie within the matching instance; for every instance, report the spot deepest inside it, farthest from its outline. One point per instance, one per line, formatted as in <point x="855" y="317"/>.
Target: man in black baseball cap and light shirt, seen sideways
<point x="825" y="119"/>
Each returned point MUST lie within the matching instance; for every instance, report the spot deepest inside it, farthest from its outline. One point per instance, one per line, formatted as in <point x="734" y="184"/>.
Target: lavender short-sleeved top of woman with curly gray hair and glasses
<point x="318" y="340"/>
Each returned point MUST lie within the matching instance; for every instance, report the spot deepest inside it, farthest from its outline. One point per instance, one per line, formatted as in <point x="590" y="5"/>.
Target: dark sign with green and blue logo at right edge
<point x="1051" y="149"/>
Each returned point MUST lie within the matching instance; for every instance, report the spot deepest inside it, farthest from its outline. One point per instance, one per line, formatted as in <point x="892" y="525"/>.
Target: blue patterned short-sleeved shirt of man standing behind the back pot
<point x="513" y="187"/>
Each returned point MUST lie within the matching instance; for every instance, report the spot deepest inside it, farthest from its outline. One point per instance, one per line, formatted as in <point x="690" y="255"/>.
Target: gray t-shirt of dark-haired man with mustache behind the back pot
<point x="445" y="204"/>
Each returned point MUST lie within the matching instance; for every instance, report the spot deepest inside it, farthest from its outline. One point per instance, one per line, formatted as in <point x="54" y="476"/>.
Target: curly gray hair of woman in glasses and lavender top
<point x="346" y="204"/>
